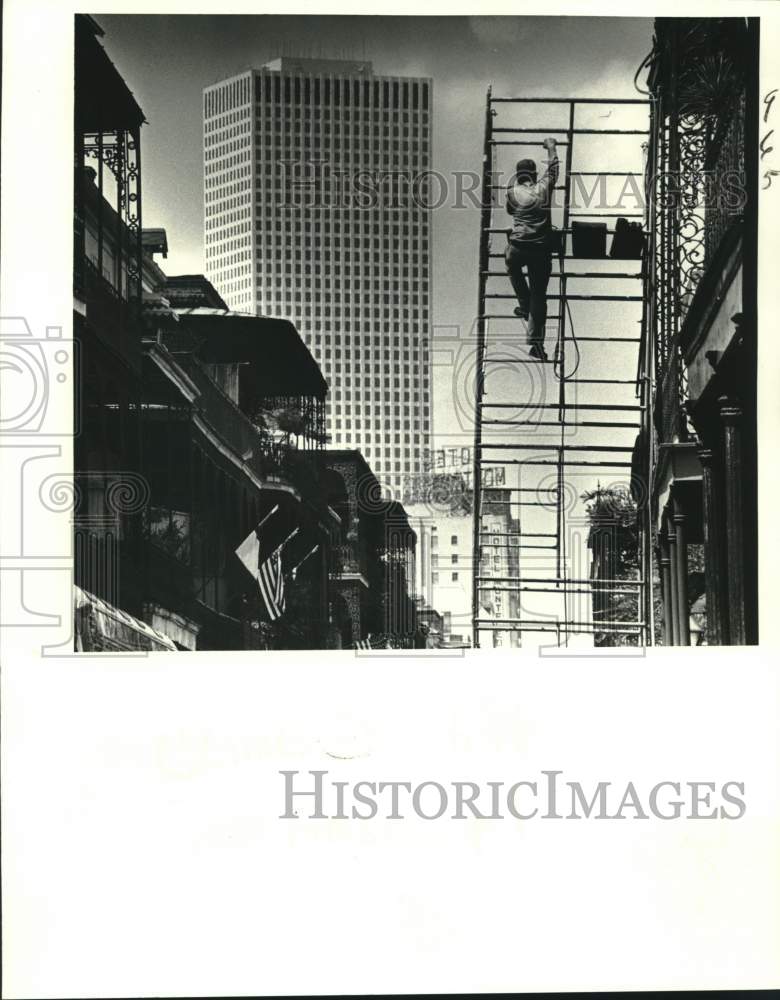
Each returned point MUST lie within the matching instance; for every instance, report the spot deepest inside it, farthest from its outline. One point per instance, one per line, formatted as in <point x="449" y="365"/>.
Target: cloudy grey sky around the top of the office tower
<point x="167" y="60"/>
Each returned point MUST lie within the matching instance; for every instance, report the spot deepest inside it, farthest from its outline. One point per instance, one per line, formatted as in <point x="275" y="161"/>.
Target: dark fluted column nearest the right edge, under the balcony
<point x="731" y="418"/>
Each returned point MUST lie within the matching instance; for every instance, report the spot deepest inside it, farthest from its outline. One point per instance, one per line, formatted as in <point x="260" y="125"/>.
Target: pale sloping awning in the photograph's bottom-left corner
<point x="100" y="627"/>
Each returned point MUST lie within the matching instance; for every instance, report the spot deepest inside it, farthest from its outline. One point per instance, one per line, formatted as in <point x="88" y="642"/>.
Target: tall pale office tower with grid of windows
<point x="317" y="209"/>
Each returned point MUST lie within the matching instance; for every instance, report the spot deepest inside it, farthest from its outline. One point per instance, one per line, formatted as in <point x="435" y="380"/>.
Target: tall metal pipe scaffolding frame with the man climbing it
<point x="565" y="414"/>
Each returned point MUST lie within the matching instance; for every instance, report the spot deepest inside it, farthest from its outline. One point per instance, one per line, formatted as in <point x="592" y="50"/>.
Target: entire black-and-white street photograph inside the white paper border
<point x="398" y="353"/>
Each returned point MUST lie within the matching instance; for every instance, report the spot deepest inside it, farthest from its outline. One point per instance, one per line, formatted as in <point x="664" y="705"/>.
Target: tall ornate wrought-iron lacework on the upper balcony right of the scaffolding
<point x="695" y="185"/>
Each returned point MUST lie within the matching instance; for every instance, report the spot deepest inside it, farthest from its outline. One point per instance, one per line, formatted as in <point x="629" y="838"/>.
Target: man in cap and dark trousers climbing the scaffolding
<point x="530" y="243"/>
